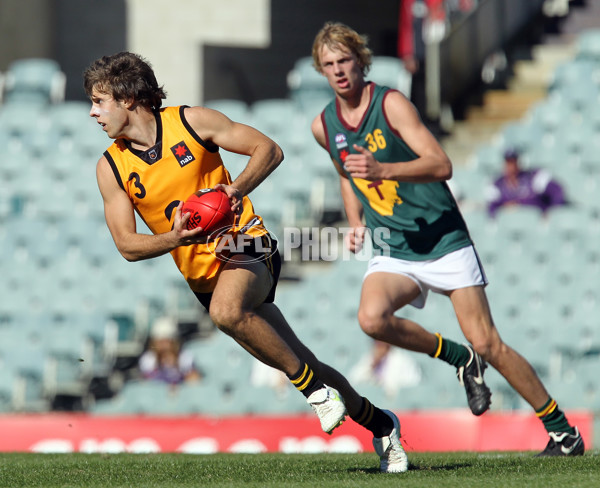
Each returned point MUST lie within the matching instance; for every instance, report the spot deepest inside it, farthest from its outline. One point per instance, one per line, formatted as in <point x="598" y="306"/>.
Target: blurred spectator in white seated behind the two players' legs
<point x="386" y="366"/>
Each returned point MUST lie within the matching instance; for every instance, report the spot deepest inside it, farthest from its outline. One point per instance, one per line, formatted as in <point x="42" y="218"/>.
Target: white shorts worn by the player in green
<point x="459" y="269"/>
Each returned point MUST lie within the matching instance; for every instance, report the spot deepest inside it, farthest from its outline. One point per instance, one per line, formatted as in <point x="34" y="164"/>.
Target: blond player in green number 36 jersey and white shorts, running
<point x="393" y="172"/>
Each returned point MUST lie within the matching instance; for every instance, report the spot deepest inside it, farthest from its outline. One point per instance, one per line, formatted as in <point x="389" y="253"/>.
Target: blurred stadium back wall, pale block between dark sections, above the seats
<point x="201" y="50"/>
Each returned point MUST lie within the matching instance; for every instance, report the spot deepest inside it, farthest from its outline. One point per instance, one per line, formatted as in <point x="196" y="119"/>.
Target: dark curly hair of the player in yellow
<point x="124" y="76"/>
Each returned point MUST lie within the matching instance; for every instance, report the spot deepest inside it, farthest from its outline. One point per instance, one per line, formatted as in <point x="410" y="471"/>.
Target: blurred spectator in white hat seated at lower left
<point x="164" y="360"/>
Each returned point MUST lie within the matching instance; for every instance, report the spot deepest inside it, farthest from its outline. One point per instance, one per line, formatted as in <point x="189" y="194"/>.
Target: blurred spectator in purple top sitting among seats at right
<point x="517" y="186"/>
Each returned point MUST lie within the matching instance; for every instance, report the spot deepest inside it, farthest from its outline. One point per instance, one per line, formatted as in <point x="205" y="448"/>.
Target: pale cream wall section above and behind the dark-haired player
<point x="172" y="38"/>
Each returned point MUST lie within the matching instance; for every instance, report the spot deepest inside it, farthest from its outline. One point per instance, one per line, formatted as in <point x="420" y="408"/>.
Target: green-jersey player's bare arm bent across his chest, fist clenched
<point x="432" y="164"/>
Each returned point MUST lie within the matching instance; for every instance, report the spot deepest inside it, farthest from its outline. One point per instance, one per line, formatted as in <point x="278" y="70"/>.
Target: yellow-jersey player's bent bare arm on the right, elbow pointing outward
<point x="265" y="154"/>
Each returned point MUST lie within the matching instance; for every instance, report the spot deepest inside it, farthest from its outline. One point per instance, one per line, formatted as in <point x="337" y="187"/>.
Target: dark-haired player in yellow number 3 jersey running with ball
<point x="159" y="157"/>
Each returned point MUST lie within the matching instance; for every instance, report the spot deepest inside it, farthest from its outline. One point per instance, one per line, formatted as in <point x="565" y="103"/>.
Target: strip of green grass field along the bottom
<point x="448" y="470"/>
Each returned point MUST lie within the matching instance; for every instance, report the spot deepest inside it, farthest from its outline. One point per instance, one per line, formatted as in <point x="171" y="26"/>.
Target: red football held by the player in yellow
<point x="209" y="209"/>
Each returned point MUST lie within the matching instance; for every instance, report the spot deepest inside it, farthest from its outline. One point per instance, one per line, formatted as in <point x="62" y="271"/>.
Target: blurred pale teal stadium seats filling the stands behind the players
<point x="73" y="310"/>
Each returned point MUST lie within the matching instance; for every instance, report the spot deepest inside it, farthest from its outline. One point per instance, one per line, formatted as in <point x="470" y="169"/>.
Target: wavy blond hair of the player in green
<point x="336" y="35"/>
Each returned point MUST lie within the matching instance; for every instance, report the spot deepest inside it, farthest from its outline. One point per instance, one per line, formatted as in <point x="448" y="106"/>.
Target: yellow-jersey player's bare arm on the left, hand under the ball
<point x="120" y="218"/>
